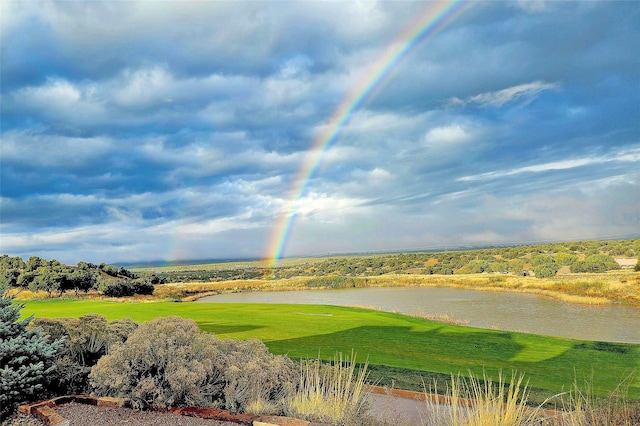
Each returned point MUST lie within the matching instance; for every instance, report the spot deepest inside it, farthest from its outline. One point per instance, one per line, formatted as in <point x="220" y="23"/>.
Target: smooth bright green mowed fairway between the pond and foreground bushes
<point x="551" y="364"/>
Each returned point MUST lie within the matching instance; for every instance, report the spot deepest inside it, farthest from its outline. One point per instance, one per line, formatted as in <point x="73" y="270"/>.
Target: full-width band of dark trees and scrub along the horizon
<point x="540" y="260"/>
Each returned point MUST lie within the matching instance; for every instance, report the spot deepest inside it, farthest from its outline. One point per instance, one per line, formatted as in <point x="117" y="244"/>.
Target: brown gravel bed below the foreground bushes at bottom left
<point x="88" y="415"/>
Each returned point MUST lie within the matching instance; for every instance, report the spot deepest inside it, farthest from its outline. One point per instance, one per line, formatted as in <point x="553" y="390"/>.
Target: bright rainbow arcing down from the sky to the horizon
<point x="434" y="17"/>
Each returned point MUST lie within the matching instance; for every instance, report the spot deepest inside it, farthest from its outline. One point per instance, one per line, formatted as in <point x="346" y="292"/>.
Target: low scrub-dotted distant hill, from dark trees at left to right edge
<point x="541" y="260"/>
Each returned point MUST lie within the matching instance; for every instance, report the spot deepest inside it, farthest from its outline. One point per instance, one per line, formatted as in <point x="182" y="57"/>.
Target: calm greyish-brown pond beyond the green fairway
<point x="486" y="309"/>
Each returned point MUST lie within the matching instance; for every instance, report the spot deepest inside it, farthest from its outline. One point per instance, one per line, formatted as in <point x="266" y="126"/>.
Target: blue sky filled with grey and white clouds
<point x="179" y="130"/>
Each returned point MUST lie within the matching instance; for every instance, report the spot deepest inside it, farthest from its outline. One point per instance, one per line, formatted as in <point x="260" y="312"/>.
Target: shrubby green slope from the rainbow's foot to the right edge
<point x="540" y="260"/>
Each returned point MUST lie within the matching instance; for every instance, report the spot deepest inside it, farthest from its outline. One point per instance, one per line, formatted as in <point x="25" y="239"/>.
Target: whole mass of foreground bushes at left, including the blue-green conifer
<point x="163" y="363"/>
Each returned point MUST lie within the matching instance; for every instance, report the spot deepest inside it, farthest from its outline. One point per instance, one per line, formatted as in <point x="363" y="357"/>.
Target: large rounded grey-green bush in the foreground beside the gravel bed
<point x="169" y="362"/>
